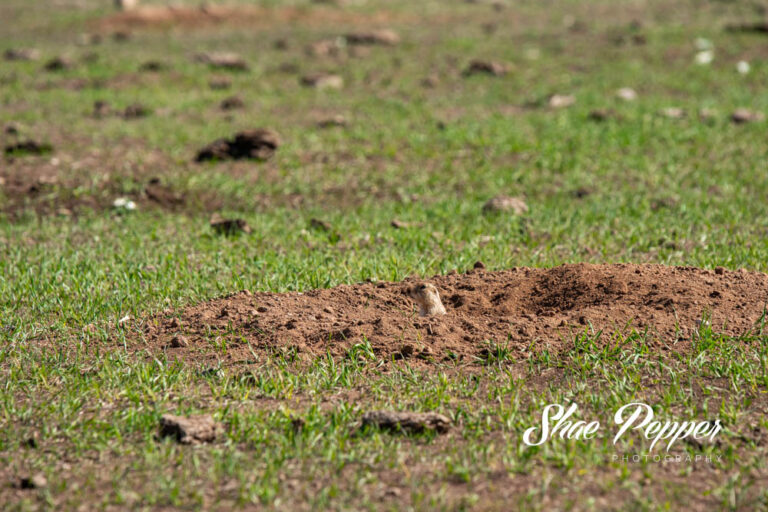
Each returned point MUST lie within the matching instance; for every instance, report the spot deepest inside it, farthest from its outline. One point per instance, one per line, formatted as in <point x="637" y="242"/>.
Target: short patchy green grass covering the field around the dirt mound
<point x="659" y="190"/>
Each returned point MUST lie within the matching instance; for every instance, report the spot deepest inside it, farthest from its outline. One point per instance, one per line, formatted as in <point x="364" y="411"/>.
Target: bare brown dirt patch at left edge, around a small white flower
<point x="40" y="178"/>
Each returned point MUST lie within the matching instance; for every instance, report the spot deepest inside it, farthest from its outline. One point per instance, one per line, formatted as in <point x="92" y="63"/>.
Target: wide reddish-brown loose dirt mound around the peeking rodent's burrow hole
<point x="525" y="309"/>
